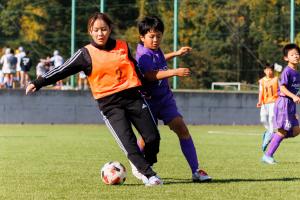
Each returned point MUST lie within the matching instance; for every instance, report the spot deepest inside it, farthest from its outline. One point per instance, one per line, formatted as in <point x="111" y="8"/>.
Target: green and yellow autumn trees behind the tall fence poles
<point x="231" y="39"/>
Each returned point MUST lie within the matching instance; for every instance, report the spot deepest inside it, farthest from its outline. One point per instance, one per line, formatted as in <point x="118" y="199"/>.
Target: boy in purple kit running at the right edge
<point x="285" y="120"/>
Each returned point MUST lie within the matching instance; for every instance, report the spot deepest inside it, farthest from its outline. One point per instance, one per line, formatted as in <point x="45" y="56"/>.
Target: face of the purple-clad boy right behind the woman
<point x="152" y="39"/>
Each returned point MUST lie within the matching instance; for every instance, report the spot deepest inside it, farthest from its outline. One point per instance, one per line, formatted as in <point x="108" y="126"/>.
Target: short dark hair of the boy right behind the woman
<point x="150" y="23"/>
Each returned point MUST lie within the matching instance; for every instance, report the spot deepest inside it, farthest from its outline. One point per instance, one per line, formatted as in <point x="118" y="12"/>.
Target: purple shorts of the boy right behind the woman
<point x="164" y="109"/>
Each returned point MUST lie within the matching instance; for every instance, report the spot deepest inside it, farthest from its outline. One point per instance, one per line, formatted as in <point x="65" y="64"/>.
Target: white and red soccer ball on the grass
<point x="113" y="173"/>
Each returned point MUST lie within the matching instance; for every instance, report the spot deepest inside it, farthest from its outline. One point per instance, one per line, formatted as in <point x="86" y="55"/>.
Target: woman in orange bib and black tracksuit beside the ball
<point x="115" y="85"/>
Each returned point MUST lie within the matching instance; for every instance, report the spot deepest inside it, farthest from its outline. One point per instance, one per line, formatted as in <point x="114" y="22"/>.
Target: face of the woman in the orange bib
<point x="100" y="32"/>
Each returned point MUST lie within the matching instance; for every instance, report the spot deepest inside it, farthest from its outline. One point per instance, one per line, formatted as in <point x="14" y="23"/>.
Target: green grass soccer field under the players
<point x="63" y="161"/>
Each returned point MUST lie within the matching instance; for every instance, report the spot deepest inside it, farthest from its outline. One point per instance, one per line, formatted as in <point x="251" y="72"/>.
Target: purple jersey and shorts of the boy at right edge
<point x="285" y="108"/>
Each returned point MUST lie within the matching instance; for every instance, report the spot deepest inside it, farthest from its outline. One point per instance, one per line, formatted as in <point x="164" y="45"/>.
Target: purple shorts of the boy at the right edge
<point x="285" y="114"/>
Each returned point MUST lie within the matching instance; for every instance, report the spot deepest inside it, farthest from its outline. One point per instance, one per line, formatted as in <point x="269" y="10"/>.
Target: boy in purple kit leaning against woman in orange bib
<point x="152" y="63"/>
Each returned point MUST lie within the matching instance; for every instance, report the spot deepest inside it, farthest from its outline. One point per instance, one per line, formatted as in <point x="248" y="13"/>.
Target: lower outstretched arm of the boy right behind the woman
<point x="158" y="75"/>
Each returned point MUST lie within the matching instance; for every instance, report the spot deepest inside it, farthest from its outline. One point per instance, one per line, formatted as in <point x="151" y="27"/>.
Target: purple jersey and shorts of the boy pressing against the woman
<point x="162" y="103"/>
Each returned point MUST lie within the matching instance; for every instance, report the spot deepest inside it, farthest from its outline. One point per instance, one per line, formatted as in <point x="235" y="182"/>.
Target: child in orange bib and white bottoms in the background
<point x="268" y="87"/>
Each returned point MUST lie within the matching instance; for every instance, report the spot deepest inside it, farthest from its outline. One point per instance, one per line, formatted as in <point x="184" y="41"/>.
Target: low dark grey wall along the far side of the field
<point x="60" y="107"/>
